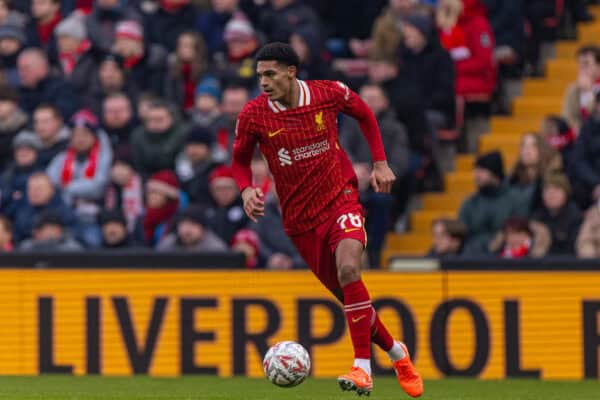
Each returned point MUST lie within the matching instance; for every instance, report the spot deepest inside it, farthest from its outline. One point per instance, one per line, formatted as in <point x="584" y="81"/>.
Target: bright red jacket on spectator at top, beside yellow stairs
<point x="471" y="44"/>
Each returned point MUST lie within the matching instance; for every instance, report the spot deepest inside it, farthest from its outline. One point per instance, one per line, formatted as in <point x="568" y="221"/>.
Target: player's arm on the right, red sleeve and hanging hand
<point x="351" y="104"/>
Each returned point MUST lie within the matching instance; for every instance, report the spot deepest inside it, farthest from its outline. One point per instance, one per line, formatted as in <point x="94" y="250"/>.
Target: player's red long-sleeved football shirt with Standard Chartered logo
<point x="301" y="146"/>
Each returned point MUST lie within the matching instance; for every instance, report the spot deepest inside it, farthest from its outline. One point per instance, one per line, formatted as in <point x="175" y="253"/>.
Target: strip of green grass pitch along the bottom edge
<point x="205" y="388"/>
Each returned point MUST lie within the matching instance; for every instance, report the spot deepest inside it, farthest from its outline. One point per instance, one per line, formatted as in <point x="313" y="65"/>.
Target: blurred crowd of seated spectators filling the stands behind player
<point x="117" y="117"/>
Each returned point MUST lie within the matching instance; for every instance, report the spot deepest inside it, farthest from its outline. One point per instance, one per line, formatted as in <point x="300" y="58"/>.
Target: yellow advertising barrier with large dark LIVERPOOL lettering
<point x="489" y="320"/>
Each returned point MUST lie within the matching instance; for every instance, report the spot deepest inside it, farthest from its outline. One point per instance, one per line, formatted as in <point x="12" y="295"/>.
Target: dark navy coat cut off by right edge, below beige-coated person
<point x="586" y="155"/>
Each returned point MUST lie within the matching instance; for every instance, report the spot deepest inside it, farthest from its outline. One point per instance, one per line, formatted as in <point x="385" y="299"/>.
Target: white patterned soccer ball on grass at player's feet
<point x="287" y="364"/>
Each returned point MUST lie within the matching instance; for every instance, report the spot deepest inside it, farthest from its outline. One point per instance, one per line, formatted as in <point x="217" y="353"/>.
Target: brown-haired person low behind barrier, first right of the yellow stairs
<point x="448" y="237"/>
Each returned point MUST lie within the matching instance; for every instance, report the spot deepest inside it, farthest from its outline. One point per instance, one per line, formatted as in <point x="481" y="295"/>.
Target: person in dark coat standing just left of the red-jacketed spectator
<point x="428" y="67"/>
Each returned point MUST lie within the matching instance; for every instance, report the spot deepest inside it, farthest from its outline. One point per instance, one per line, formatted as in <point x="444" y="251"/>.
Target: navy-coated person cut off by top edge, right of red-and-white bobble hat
<point x="169" y="21"/>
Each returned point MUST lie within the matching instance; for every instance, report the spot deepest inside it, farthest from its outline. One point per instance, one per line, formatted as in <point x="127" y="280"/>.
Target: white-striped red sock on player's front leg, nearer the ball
<point x="359" y="314"/>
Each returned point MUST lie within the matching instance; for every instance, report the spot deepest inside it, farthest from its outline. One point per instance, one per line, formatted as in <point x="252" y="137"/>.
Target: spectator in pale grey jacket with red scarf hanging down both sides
<point x="82" y="173"/>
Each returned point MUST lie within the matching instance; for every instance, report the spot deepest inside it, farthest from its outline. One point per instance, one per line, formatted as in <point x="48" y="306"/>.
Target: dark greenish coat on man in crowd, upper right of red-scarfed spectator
<point x="155" y="152"/>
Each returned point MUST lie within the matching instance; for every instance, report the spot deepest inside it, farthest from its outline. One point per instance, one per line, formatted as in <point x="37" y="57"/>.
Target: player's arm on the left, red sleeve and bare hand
<point x="243" y="149"/>
